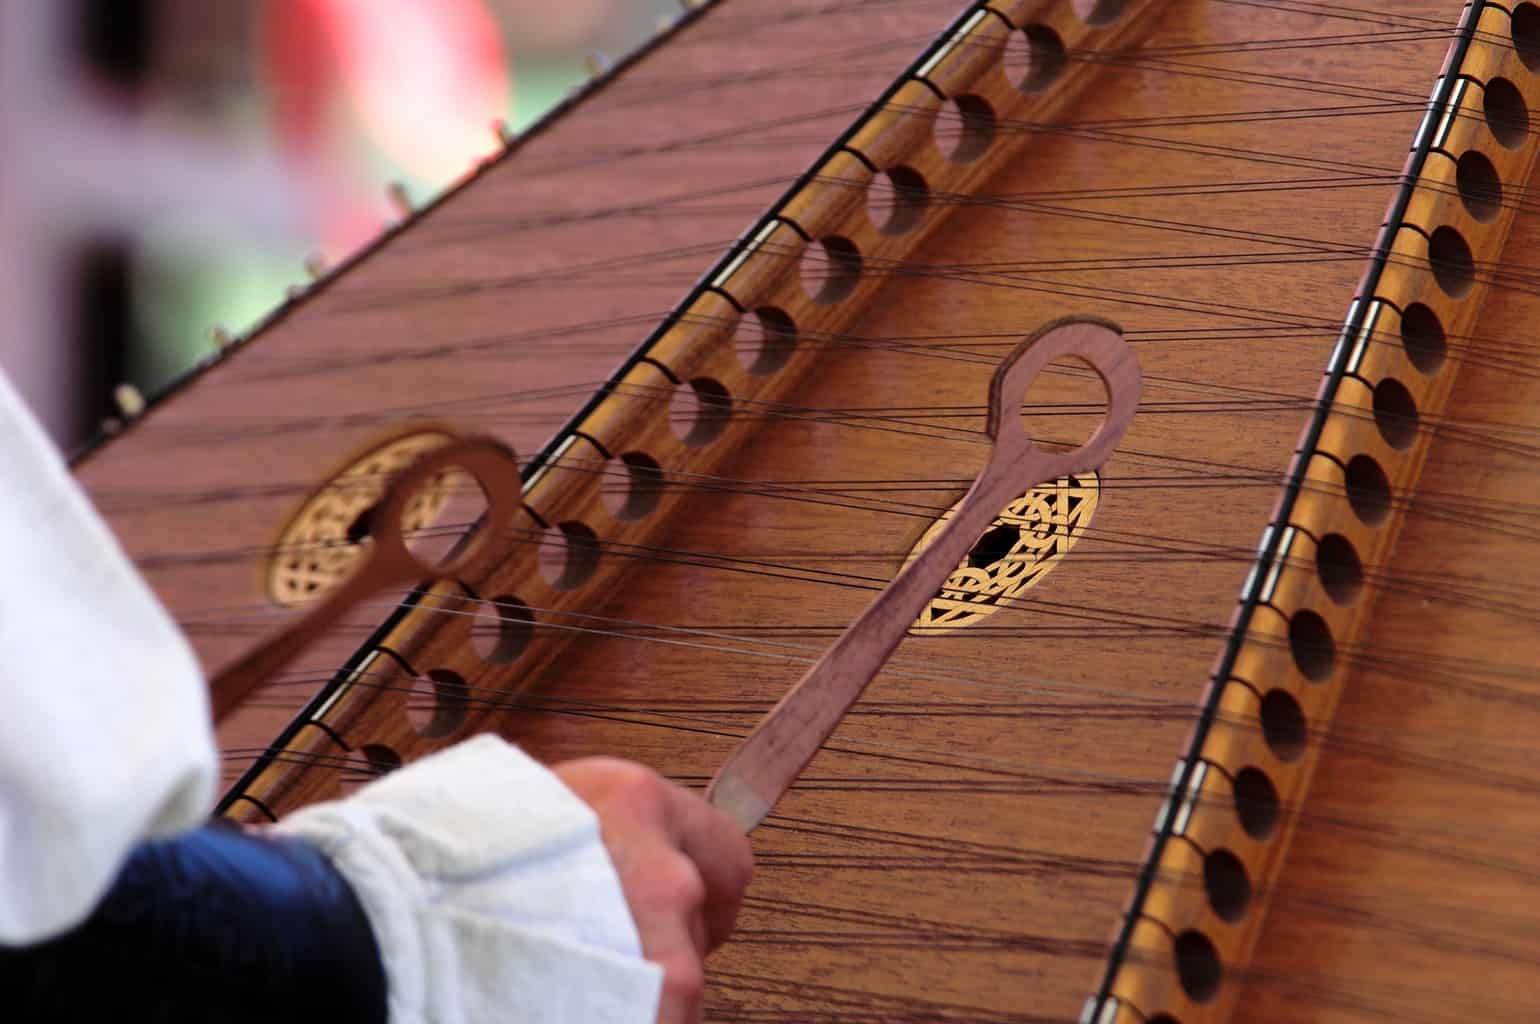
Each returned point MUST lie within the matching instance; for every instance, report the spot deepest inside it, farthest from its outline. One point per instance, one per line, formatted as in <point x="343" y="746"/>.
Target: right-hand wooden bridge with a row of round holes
<point x="1305" y="640"/>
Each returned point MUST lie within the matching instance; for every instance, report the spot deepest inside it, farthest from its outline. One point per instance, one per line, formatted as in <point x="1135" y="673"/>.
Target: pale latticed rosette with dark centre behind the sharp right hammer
<point x="1023" y="544"/>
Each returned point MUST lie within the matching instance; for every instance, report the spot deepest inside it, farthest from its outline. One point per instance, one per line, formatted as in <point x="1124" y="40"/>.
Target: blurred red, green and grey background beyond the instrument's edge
<point x="170" y="167"/>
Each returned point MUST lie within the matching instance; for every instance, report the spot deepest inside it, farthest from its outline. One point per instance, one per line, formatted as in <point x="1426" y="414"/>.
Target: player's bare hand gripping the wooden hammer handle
<point x="683" y="868"/>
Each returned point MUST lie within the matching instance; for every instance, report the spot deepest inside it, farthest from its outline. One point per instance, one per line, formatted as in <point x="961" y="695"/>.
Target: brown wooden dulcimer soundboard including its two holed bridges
<point x="966" y="845"/>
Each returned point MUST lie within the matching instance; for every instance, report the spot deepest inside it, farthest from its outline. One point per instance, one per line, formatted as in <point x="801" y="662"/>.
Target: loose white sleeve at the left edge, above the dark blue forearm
<point x="105" y="731"/>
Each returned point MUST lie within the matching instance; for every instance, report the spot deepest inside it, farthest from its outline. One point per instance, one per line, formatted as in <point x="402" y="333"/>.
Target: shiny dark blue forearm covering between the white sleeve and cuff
<point x="216" y="925"/>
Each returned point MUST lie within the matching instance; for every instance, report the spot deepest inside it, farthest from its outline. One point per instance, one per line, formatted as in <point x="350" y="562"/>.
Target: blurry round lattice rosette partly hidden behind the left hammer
<point x="320" y="546"/>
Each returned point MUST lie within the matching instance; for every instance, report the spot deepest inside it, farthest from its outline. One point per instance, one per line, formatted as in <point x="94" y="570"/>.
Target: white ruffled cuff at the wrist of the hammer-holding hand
<point x="490" y="894"/>
